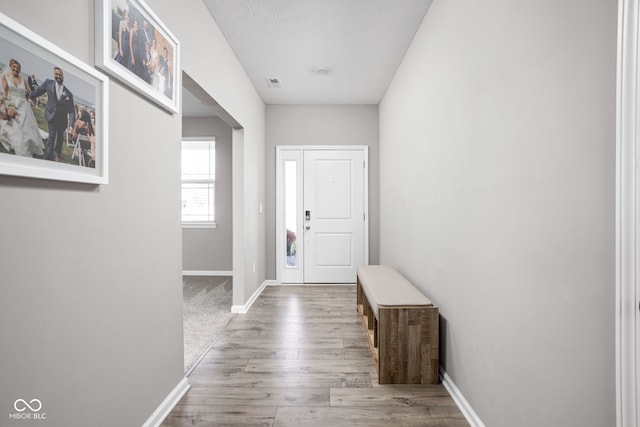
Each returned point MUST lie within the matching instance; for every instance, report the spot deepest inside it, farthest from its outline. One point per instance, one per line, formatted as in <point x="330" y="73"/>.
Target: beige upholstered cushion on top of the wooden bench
<point x="385" y="287"/>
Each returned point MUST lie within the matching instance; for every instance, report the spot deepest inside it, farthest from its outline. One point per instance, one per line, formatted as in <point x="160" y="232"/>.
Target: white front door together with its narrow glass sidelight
<point x="321" y="214"/>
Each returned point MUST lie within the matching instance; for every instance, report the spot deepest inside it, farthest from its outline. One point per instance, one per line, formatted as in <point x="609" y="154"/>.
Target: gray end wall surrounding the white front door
<point x="321" y="125"/>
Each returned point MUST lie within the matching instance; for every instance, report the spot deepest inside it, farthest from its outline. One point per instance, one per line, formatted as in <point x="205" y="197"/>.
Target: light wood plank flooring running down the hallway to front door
<point x="300" y="357"/>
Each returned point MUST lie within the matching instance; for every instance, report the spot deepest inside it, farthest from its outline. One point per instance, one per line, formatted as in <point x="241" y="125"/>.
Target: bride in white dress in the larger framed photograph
<point x="20" y="132"/>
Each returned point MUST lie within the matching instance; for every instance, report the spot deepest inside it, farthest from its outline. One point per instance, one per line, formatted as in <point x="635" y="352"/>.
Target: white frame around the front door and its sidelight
<point x="287" y="152"/>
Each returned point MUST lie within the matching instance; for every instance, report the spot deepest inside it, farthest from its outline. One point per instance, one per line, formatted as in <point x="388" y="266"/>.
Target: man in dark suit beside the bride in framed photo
<point x="60" y="112"/>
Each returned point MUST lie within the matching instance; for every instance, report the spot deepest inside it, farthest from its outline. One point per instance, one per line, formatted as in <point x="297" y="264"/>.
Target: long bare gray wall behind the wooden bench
<point x="497" y="163"/>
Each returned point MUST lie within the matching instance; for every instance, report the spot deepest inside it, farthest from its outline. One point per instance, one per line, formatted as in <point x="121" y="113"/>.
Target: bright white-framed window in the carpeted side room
<point x="198" y="183"/>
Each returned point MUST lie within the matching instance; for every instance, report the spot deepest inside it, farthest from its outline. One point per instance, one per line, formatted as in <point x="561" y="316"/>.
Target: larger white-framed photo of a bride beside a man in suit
<point x="53" y="110"/>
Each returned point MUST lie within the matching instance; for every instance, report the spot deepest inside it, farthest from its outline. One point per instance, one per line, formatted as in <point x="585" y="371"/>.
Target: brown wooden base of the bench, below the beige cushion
<point x="403" y="341"/>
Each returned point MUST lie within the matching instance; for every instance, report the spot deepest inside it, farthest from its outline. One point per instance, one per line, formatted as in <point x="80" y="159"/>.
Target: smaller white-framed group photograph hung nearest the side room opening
<point x="136" y="48"/>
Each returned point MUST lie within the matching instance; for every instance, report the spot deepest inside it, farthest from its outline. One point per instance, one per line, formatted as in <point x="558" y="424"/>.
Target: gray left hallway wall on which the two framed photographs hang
<point x="91" y="284"/>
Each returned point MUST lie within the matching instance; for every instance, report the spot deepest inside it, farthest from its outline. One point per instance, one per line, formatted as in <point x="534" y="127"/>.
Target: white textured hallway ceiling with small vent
<point x="359" y="42"/>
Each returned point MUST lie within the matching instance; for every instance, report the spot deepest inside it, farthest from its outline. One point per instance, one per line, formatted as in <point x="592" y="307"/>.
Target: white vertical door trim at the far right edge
<point x="627" y="216"/>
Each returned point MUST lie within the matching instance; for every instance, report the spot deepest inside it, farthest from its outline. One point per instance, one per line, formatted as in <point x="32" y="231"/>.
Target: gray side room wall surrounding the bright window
<point x="210" y="249"/>
